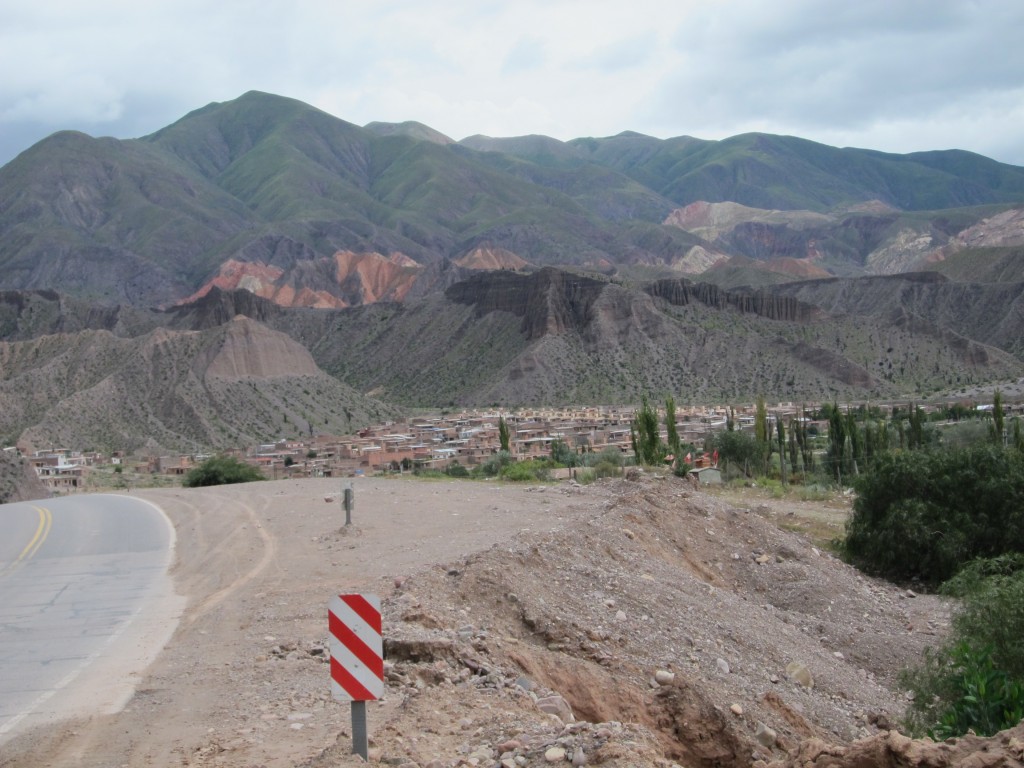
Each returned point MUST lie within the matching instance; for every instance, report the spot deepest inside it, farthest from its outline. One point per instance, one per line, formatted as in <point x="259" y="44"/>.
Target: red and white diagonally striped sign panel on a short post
<point x="357" y="649"/>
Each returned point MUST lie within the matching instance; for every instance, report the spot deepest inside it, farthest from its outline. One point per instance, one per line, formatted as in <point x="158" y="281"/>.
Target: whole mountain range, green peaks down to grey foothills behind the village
<point x="262" y="269"/>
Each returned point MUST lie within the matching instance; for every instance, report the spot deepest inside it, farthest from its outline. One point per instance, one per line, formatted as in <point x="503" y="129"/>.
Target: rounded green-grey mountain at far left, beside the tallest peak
<point x="112" y="219"/>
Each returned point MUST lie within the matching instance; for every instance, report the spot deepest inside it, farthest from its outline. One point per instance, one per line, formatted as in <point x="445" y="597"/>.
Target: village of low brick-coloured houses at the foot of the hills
<point x="430" y="443"/>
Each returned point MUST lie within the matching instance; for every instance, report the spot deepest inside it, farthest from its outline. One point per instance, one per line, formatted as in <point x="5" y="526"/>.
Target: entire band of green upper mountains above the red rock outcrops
<point x="274" y="183"/>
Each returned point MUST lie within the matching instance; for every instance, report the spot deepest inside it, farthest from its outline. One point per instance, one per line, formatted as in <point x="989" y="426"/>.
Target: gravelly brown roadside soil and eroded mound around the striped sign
<point x="624" y="624"/>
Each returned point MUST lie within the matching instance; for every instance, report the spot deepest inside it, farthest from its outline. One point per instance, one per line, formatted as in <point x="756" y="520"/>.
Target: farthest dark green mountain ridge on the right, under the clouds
<point x="785" y="173"/>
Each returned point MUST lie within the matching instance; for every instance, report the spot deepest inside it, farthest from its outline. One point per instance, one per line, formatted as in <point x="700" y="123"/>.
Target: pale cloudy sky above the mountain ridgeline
<point x="892" y="75"/>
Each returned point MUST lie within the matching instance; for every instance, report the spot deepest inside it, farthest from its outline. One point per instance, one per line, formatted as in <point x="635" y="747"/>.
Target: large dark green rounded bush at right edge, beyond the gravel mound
<point x="925" y="516"/>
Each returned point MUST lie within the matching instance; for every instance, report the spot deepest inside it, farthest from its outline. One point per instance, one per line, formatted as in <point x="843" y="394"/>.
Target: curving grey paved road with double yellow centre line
<point x="79" y="577"/>
